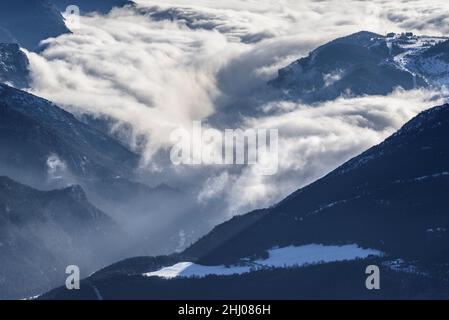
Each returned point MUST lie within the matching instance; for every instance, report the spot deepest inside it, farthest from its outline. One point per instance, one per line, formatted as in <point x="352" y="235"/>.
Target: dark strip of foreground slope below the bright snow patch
<point x="335" y="281"/>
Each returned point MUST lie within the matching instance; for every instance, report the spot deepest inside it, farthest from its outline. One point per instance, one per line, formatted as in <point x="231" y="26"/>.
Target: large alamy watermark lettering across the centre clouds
<point x="258" y="148"/>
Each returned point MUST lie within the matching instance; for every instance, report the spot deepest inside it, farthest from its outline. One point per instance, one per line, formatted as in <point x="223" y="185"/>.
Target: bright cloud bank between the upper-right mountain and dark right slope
<point x="314" y="140"/>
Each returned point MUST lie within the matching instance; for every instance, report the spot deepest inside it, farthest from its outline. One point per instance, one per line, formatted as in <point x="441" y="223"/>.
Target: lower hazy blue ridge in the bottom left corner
<point x="42" y="232"/>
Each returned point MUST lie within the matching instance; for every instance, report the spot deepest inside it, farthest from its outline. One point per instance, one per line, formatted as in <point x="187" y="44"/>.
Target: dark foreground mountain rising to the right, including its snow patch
<point x="387" y="207"/>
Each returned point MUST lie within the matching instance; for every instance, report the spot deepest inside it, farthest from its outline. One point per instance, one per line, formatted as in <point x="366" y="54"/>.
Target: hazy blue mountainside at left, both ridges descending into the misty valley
<point x="47" y="148"/>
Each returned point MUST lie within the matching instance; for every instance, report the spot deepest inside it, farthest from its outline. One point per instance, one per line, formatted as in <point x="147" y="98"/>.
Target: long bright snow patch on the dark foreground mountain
<point x="288" y="257"/>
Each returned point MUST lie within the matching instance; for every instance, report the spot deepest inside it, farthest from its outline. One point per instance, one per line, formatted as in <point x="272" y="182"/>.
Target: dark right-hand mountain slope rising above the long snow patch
<point x="388" y="198"/>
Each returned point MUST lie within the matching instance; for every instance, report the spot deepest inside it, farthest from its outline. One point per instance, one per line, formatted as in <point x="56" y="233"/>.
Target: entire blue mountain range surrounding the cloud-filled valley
<point x="67" y="186"/>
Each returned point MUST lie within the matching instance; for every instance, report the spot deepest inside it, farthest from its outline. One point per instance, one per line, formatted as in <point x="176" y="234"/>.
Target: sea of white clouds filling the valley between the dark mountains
<point x="168" y="63"/>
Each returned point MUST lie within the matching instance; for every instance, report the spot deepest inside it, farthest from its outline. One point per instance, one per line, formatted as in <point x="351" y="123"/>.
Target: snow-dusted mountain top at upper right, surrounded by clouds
<point x="364" y="63"/>
